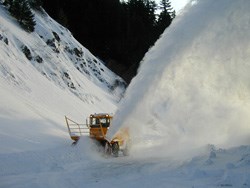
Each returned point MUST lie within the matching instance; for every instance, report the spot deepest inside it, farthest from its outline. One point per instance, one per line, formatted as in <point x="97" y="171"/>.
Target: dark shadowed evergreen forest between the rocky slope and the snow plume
<point x="118" y="32"/>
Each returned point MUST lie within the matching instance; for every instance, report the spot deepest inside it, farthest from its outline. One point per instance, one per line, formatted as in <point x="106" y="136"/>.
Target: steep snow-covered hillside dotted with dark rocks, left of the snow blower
<point x="45" y="75"/>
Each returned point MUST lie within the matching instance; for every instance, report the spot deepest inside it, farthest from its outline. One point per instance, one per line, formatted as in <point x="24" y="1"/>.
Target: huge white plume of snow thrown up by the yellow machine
<point x="193" y="86"/>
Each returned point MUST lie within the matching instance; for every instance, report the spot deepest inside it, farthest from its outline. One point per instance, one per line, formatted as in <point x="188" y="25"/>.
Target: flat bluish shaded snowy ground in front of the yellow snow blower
<point x="77" y="166"/>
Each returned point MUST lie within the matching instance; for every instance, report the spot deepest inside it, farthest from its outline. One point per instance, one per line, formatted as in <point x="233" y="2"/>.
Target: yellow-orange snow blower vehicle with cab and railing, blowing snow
<point x="96" y="127"/>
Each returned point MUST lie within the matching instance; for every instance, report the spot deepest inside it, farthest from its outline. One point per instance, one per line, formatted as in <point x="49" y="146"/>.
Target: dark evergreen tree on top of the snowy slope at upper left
<point x="20" y="9"/>
